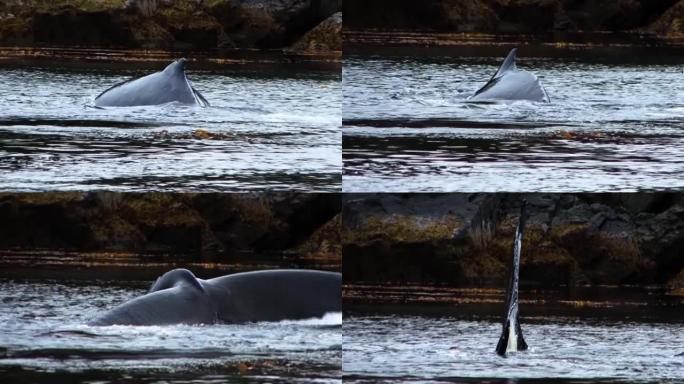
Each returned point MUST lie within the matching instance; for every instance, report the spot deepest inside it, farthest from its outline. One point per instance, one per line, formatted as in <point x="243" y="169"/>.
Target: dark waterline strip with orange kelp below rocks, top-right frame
<point x="583" y="45"/>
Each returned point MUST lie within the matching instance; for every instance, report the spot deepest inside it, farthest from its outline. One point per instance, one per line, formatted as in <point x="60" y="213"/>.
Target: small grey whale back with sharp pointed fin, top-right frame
<point x="511" y="83"/>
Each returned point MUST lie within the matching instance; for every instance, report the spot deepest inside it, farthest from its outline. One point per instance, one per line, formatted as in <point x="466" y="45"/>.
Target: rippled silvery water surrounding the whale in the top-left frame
<point x="269" y="129"/>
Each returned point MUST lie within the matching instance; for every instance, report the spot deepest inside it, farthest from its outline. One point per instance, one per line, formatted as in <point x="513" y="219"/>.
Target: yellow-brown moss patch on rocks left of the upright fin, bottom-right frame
<point x="403" y="228"/>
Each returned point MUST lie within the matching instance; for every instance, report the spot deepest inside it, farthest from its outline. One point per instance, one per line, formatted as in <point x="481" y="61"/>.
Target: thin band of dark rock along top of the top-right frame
<point x="516" y="16"/>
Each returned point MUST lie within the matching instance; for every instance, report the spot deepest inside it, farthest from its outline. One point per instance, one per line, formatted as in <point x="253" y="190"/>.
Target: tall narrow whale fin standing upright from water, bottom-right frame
<point x="511" y="334"/>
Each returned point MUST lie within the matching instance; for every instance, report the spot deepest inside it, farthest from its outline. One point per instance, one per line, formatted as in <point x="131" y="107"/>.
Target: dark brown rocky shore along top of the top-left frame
<point x="305" y="26"/>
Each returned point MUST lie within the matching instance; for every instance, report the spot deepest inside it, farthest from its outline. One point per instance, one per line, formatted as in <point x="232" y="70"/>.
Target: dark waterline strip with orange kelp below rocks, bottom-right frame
<point x="588" y="300"/>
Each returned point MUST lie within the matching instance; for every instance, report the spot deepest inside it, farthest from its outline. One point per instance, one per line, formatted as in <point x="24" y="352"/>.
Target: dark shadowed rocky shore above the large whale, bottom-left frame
<point x="202" y="227"/>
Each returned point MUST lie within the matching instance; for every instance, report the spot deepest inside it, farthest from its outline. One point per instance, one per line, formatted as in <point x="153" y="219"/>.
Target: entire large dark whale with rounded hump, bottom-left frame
<point x="178" y="297"/>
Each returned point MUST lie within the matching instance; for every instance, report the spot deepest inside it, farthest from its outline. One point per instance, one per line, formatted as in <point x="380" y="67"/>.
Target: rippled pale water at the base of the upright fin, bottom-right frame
<point x="448" y="348"/>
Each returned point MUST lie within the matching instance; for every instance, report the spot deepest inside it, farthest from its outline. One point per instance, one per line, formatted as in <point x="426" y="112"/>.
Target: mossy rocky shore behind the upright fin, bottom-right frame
<point x="464" y="240"/>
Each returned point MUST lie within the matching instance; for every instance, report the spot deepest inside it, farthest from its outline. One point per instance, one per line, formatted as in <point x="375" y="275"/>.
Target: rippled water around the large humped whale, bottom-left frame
<point x="44" y="339"/>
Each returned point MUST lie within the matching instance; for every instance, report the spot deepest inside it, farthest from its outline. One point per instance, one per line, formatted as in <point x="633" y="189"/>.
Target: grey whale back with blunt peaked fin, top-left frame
<point x="161" y="87"/>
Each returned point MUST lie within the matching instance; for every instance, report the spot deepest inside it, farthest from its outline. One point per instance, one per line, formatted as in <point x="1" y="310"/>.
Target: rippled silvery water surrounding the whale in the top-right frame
<point x="609" y="127"/>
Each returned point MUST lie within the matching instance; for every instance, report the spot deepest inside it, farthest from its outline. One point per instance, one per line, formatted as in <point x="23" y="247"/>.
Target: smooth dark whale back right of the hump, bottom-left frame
<point x="275" y="295"/>
